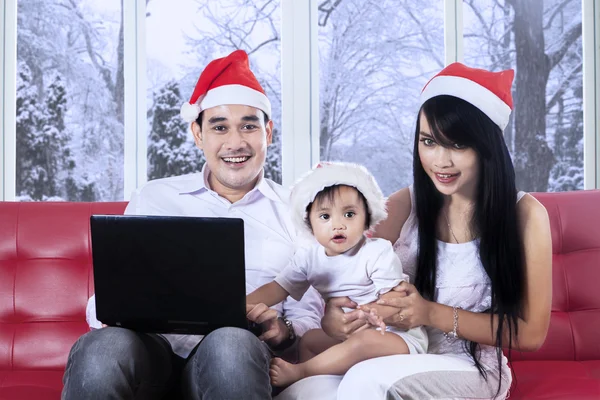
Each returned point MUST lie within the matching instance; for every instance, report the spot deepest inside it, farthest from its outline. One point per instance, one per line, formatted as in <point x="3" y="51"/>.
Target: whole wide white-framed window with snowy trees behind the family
<point x="351" y="77"/>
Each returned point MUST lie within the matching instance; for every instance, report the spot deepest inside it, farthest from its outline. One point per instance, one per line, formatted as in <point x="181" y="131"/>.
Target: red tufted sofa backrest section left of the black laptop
<point x="45" y="280"/>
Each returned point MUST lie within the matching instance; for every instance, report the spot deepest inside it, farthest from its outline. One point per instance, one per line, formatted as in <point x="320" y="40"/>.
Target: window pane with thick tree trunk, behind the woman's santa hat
<point x="542" y="41"/>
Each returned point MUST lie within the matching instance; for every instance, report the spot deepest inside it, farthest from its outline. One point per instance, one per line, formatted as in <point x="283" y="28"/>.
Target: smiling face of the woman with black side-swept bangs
<point x="453" y="169"/>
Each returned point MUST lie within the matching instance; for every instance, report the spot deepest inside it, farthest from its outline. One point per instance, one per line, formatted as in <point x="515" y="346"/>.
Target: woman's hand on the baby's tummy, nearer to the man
<point x="340" y="325"/>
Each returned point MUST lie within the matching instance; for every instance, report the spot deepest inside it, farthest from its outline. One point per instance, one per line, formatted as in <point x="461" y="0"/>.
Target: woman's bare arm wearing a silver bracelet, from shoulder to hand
<point x="533" y="327"/>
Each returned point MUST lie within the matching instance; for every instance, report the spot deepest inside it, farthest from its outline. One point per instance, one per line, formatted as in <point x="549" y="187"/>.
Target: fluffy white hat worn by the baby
<point x="328" y="174"/>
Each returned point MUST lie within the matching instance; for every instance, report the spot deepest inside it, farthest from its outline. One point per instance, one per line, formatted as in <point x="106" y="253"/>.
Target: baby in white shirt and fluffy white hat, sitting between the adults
<point x="336" y="203"/>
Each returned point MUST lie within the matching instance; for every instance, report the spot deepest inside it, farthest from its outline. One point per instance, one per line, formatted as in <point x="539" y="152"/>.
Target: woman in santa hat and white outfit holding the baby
<point x="478" y="254"/>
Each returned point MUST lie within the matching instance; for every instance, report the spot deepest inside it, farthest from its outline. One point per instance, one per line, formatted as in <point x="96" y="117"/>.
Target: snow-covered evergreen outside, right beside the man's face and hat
<point x="170" y="149"/>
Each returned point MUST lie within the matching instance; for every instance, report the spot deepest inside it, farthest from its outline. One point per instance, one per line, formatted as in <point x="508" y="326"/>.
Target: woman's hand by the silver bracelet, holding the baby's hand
<point x="413" y="309"/>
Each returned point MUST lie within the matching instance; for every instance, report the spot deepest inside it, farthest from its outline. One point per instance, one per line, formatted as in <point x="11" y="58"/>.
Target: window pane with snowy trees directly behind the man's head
<point x="198" y="32"/>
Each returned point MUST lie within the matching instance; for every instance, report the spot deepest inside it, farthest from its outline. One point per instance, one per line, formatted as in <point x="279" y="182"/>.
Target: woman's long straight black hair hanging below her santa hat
<point x="494" y="221"/>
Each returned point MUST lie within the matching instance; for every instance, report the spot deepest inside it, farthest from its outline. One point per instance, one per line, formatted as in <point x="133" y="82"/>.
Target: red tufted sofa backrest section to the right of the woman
<point x="574" y="332"/>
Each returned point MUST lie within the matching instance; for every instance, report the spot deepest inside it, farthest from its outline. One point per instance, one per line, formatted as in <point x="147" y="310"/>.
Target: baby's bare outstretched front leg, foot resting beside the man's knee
<point x="337" y="360"/>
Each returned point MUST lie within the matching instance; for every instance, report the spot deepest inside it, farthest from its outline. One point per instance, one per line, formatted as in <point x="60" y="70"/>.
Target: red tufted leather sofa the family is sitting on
<point x="46" y="279"/>
